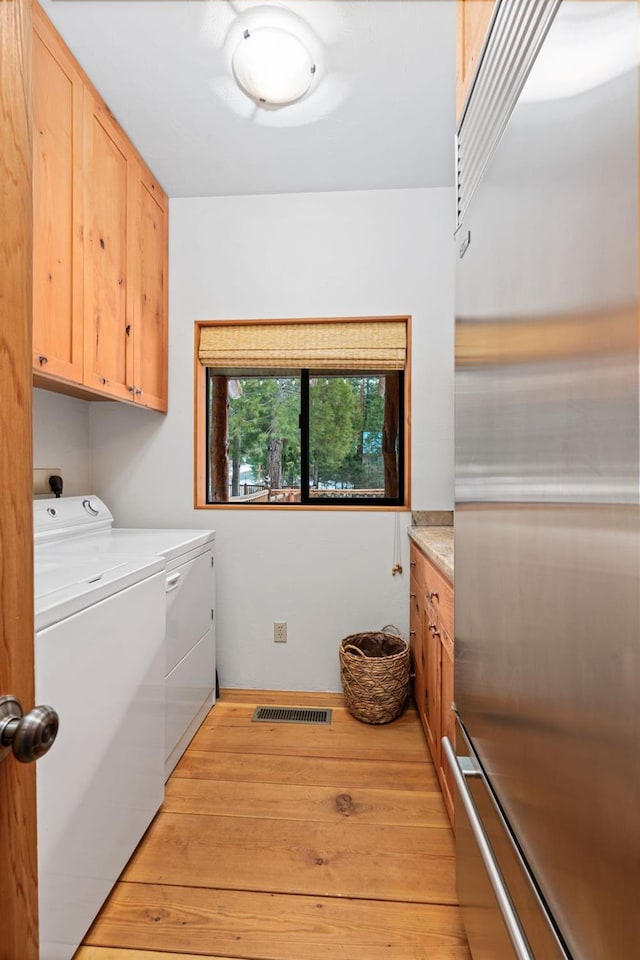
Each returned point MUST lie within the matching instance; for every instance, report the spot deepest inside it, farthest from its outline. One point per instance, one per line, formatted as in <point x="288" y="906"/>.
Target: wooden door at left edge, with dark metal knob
<point x="18" y="860"/>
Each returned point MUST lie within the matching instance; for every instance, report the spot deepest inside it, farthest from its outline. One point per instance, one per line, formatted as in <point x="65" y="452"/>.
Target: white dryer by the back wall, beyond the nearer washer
<point x="190" y="606"/>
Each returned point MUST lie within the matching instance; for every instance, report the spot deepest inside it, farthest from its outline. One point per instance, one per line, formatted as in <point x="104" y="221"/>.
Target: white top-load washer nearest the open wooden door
<point x="99" y="657"/>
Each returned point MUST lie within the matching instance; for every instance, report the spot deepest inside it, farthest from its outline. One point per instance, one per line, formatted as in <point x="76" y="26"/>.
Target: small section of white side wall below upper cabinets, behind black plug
<point x="61" y="438"/>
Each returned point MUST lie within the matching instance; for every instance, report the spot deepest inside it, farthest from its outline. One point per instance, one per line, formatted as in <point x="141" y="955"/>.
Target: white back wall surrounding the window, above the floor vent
<point x="306" y="255"/>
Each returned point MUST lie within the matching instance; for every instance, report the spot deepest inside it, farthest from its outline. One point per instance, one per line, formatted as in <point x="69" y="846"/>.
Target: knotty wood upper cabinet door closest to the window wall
<point x="148" y="270"/>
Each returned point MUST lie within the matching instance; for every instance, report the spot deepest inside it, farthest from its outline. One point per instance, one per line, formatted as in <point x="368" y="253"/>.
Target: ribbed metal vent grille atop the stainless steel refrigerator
<point x="514" y="37"/>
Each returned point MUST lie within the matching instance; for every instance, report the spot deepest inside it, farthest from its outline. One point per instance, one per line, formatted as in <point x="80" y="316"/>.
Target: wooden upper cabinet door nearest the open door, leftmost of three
<point x="57" y="206"/>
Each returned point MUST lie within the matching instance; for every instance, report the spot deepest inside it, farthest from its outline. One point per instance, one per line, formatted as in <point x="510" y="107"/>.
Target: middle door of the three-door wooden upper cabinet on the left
<point x="108" y="297"/>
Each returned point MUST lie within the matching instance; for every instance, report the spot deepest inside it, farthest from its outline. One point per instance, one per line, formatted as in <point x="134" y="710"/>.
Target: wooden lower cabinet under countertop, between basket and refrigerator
<point x="431" y="637"/>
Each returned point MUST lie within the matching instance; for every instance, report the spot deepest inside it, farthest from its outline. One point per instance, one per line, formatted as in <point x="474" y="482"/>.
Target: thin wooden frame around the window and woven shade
<point x="200" y="427"/>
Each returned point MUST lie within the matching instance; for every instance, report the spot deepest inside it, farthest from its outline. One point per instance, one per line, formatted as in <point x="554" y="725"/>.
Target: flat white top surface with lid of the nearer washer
<point x="64" y="586"/>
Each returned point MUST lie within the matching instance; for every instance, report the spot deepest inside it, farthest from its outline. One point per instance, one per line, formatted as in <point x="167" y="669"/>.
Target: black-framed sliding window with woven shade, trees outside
<point x="272" y="433"/>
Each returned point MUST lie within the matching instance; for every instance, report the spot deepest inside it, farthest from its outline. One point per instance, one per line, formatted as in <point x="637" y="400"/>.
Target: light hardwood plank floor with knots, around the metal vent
<point x="286" y="842"/>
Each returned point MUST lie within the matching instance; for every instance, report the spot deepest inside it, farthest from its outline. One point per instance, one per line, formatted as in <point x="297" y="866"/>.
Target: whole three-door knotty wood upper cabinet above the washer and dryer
<point x="100" y="242"/>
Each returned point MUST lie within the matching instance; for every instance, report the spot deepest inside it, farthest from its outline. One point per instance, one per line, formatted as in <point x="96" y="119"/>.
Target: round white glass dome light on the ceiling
<point x="273" y="66"/>
